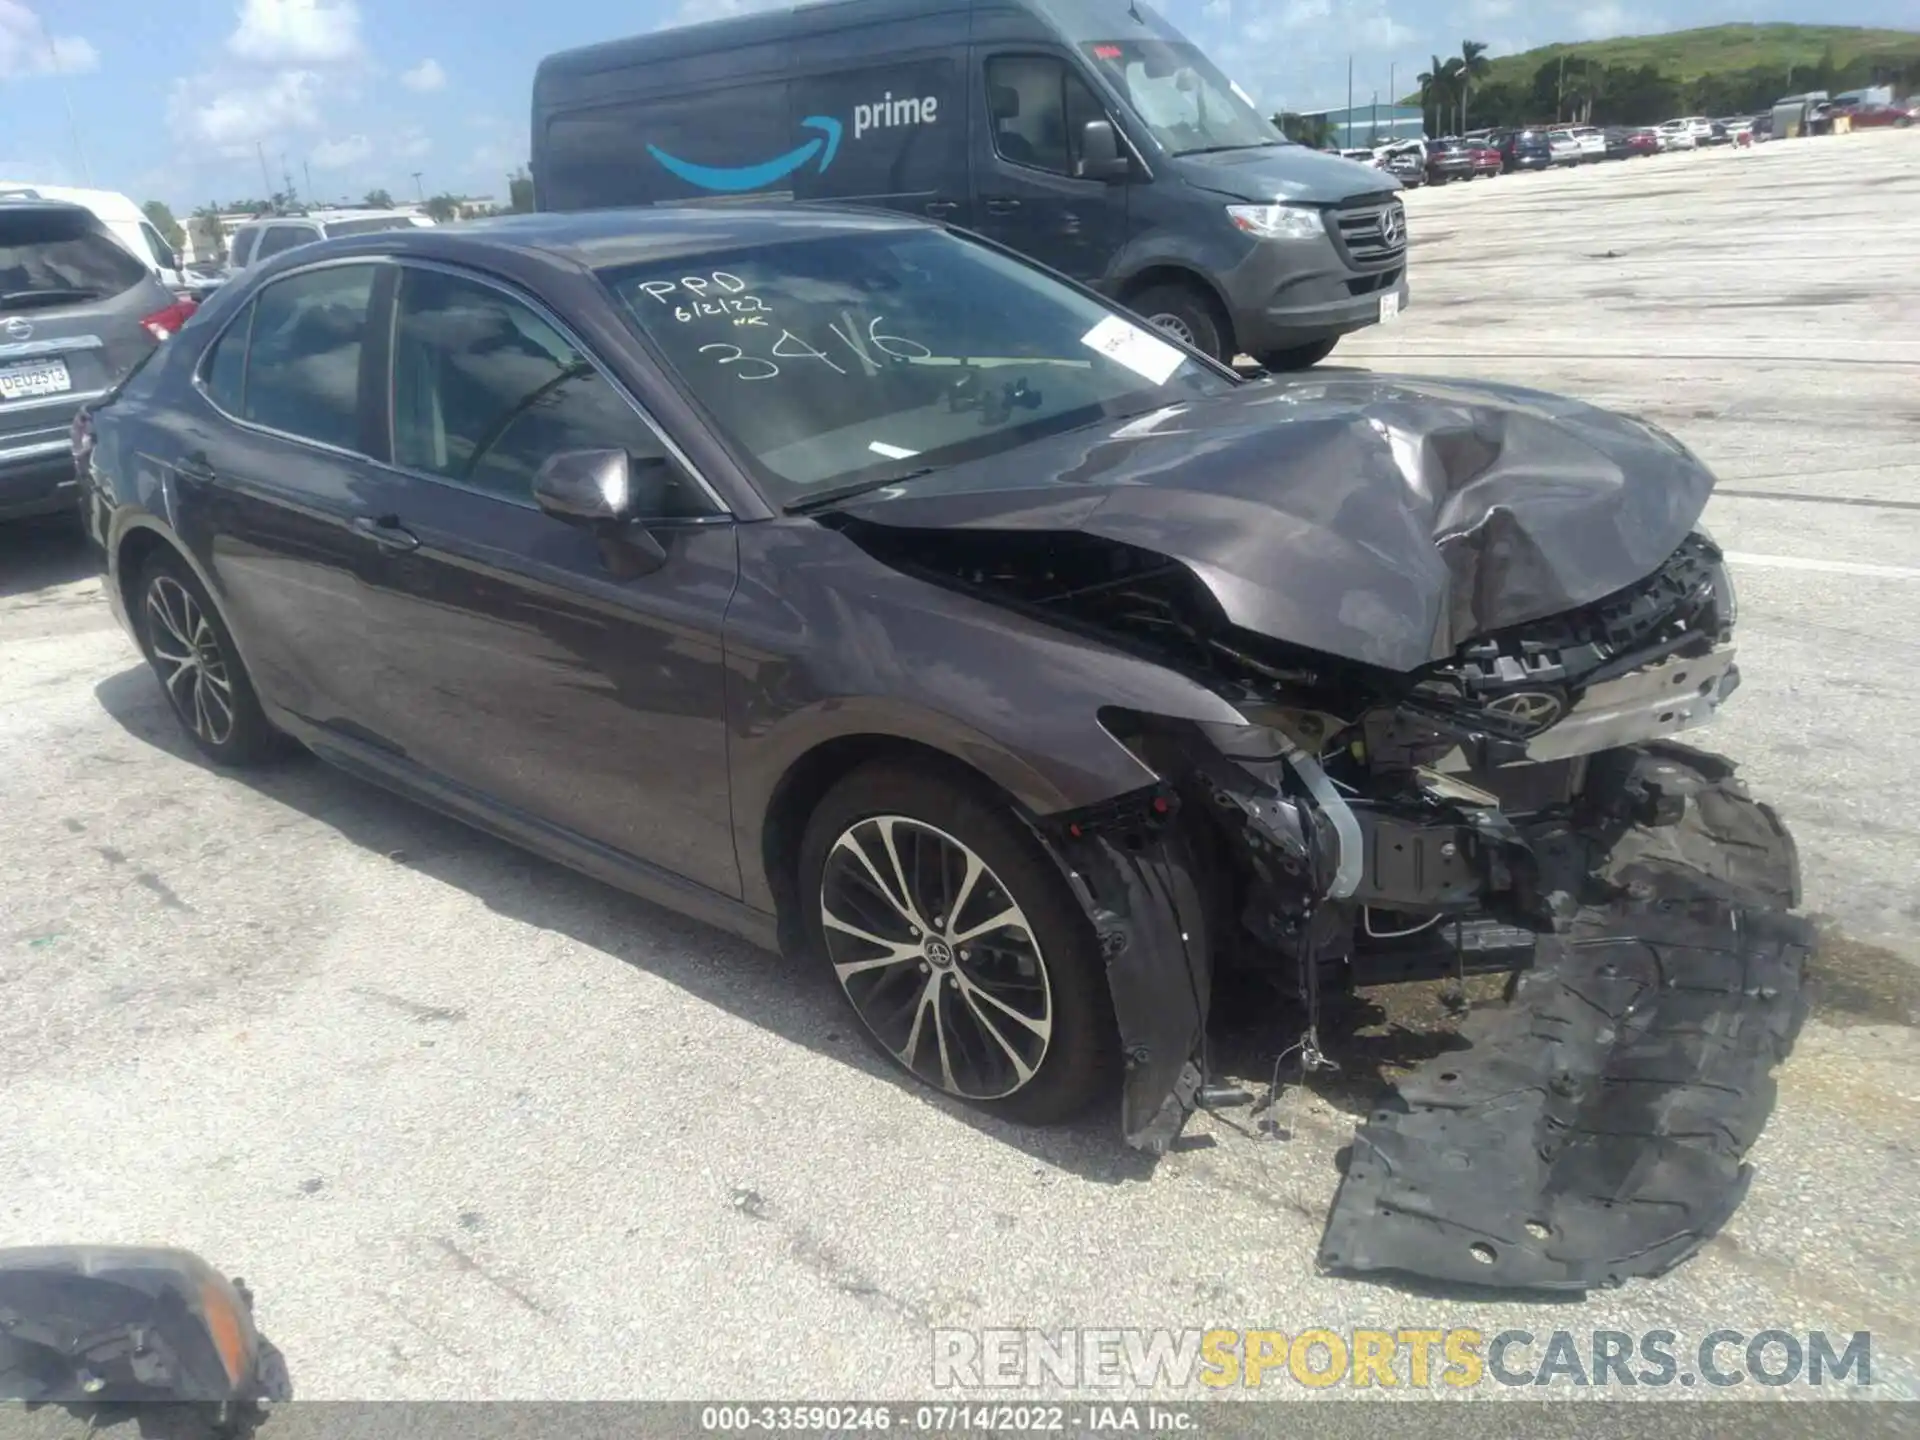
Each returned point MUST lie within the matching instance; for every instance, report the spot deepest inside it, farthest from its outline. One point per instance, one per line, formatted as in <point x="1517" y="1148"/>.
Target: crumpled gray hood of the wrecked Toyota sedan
<point x="1372" y="517"/>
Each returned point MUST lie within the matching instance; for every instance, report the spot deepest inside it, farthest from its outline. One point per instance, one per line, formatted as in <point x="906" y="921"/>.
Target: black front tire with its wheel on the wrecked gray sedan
<point x="1076" y="1061"/>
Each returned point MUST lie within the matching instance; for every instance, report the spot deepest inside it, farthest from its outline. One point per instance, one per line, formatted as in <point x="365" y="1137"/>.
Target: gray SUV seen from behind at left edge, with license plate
<point x="78" y="312"/>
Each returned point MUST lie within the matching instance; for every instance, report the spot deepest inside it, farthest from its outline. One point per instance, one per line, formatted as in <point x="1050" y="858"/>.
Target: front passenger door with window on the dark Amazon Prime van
<point x="1026" y="149"/>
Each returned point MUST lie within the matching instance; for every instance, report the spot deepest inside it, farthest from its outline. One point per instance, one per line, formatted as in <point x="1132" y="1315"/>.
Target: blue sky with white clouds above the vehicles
<point x="172" y="97"/>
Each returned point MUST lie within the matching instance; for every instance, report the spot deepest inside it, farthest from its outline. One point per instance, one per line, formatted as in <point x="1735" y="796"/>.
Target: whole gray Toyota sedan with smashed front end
<point x="857" y="587"/>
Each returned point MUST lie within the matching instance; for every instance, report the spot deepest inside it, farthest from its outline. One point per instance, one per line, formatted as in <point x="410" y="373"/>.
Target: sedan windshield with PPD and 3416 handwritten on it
<point x="855" y="358"/>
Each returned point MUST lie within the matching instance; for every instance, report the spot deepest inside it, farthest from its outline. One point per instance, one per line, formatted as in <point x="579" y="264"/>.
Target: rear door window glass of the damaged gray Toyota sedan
<point x="302" y="368"/>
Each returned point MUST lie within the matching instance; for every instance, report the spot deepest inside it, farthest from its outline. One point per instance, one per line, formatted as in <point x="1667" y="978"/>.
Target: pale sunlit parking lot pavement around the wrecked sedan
<point x="477" y="1128"/>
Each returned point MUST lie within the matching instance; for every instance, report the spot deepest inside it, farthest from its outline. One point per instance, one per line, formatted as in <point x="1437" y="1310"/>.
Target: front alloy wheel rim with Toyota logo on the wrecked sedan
<point x="936" y="957"/>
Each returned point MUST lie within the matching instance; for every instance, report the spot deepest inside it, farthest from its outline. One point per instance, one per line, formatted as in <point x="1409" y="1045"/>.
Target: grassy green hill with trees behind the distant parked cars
<point x="1723" y="70"/>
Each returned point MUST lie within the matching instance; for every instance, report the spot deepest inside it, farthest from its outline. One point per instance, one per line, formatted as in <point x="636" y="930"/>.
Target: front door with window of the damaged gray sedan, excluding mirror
<point x="514" y="654"/>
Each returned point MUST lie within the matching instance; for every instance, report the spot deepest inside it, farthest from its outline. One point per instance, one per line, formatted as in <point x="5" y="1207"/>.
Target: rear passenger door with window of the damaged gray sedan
<point x="277" y="489"/>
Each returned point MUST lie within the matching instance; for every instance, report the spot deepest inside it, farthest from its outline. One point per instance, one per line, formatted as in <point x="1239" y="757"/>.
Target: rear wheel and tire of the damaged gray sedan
<point x="199" y="665"/>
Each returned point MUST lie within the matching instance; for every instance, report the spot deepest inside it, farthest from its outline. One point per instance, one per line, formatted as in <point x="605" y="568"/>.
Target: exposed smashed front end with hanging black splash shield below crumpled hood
<point x="1512" y="807"/>
